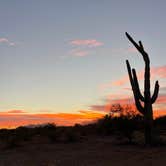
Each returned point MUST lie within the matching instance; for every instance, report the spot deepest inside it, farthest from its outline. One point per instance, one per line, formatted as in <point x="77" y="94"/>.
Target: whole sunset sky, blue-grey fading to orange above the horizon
<point x="64" y="61"/>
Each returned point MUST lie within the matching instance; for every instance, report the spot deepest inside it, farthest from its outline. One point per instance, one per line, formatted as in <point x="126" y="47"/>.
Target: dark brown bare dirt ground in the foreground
<point x="93" y="152"/>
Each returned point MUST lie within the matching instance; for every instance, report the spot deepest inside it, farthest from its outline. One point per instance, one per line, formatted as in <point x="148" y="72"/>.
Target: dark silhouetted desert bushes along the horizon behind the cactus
<point x="126" y="127"/>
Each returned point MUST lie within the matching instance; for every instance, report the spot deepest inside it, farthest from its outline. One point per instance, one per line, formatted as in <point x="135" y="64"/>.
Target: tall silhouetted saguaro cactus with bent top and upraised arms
<point x="143" y="102"/>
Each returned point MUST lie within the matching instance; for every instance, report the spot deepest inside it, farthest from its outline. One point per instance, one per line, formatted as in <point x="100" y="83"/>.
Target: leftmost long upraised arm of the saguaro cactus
<point x="137" y="102"/>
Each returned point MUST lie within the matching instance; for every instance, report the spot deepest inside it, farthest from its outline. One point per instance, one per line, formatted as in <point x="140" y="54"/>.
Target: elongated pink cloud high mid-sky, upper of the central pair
<point x="88" y="43"/>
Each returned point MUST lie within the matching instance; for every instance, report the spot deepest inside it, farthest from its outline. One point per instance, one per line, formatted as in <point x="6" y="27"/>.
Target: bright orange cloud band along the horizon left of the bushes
<point x="11" y="119"/>
